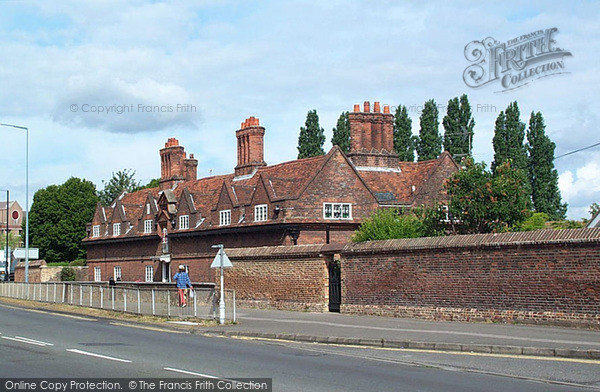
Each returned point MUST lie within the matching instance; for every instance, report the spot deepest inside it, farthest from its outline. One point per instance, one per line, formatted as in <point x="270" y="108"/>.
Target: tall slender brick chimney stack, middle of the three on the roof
<point x="250" y="138"/>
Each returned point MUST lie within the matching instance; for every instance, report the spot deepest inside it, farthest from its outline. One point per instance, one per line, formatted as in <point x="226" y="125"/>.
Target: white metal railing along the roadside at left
<point x="204" y="304"/>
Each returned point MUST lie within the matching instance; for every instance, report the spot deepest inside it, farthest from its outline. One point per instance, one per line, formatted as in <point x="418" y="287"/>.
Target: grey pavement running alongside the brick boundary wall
<point x="374" y="331"/>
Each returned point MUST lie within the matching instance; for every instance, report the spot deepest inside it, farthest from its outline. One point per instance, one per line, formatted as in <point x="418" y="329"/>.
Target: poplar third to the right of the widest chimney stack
<point x="458" y="127"/>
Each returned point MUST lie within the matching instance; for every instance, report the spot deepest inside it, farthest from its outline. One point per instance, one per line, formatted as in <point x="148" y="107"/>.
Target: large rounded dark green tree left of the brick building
<point x="58" y="218"/>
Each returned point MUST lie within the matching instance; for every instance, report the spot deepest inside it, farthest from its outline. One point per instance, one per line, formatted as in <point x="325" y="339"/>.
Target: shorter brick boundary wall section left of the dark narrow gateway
<point x="281" y="277"/>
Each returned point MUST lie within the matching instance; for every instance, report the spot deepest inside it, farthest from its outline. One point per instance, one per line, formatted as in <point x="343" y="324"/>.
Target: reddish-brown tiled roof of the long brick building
<point x="284" y="181"/>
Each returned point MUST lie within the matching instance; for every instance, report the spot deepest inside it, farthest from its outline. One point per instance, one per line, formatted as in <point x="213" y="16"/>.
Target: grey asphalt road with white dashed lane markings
<point x="41" y="344"/>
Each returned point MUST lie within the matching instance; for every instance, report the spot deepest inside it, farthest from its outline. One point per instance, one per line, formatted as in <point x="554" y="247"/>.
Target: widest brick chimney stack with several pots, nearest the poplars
<point x="371" y="135"/>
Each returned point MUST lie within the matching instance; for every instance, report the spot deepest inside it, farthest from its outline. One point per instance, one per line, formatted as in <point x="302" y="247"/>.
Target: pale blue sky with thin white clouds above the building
<point x="85" y="77"/>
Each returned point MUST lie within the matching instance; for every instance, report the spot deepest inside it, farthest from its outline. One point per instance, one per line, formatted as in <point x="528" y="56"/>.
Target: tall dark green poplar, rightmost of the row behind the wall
<point x="543" y="177"/>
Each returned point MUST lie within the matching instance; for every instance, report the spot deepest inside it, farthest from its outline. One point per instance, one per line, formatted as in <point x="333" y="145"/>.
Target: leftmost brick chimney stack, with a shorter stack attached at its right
<point x="174" y="166"/>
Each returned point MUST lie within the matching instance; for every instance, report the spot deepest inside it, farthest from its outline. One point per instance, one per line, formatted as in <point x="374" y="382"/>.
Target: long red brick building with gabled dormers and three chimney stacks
<point x="306" y="201"/>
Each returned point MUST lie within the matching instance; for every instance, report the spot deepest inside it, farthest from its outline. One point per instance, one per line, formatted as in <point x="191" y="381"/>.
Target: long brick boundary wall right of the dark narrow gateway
<point x="546" y="276"/>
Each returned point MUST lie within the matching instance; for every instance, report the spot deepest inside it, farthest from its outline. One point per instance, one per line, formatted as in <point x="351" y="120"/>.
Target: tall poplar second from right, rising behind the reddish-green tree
<point x="509" y="135"/>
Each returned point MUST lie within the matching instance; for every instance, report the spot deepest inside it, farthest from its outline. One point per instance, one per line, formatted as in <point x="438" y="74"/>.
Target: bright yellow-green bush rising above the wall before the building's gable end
<point x="387" y="223"/>
